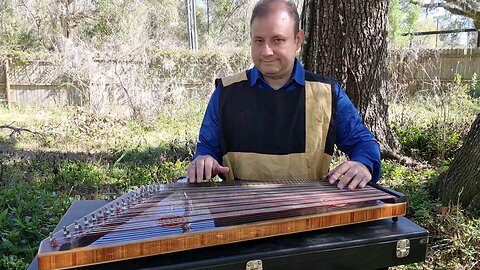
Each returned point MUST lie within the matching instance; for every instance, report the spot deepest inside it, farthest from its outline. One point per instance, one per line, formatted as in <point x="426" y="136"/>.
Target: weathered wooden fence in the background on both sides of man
<point x="44" y="83"/>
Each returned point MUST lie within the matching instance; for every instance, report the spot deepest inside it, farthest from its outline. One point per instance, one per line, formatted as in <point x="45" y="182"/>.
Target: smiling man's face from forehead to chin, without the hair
<point x="274" y="44"/>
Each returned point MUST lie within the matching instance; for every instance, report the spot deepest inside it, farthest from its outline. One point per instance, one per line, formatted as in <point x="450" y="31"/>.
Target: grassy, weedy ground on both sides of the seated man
<point x="81" y="155"/>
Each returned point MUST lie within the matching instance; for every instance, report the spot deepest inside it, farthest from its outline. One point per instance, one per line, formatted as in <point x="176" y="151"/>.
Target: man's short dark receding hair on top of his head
<point x="263" y="8"/>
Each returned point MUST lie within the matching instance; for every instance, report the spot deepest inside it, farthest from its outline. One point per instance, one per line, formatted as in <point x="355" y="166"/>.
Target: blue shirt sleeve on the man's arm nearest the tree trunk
<point x="352" y="136"/>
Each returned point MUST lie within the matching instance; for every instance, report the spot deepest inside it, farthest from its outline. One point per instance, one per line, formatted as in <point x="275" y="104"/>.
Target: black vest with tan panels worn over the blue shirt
<point x="277" y="135"/>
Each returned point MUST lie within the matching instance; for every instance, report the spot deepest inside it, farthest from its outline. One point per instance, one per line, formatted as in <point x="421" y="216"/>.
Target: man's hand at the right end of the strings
<point x="350" y="172"/>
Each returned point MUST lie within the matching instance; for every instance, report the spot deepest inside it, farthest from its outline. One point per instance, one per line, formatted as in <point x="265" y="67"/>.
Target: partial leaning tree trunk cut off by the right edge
<point x="461" y="183"/>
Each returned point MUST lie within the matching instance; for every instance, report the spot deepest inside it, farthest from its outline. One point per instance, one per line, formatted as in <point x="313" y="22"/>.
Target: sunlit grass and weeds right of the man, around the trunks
<point x="431" y="129"/>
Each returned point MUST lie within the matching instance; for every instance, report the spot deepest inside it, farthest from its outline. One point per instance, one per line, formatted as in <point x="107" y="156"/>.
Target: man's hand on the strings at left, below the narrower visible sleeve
<point x="204" y="167"/>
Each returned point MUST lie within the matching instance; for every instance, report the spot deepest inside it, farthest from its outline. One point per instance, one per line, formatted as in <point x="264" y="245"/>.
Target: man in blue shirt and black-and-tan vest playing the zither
<point x="277" y="121"/>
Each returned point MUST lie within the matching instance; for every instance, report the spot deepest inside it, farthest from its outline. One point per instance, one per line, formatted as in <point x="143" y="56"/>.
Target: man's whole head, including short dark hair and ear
<point x="275" y="38"/>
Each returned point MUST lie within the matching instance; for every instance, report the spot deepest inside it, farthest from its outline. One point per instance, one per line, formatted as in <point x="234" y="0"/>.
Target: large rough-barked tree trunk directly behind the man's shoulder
<point x="347" y="41"/>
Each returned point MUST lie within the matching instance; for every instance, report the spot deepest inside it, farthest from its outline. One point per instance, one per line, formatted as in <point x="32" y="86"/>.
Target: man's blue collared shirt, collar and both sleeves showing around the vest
<point x="352" y="137"/>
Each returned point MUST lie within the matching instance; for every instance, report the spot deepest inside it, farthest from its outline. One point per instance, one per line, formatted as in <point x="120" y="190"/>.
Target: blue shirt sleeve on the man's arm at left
<point x="209" y="137"/>
